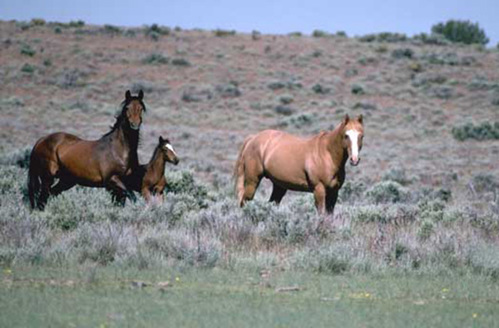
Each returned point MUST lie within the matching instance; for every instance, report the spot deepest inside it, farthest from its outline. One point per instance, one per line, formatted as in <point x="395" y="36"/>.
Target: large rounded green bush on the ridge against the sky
<point x="461" y="31"/>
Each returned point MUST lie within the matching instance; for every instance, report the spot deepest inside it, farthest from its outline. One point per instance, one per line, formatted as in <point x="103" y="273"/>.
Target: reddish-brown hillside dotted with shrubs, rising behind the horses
<point x="208" y="92"/>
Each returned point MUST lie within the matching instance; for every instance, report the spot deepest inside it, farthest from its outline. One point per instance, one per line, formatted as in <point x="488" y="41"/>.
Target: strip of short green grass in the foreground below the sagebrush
<point x="105" y="297"/>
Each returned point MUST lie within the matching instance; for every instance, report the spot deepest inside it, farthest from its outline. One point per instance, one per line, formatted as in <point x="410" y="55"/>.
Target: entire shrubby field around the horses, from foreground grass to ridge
<point x="414" y="240"/>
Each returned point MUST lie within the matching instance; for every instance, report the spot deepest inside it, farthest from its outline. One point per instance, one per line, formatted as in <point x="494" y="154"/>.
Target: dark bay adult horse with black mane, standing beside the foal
<point x="99" y="163"/>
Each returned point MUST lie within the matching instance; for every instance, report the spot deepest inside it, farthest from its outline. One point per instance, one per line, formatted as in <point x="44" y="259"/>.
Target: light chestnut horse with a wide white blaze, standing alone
<point x="316" y="164"/>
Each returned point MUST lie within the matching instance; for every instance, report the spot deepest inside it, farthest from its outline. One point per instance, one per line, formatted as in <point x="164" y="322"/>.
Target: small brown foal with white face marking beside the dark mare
<point x="150" y="178"/>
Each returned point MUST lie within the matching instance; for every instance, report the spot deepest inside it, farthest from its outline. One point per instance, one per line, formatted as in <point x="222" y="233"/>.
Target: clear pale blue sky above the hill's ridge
<point x="354" y="17"/>
